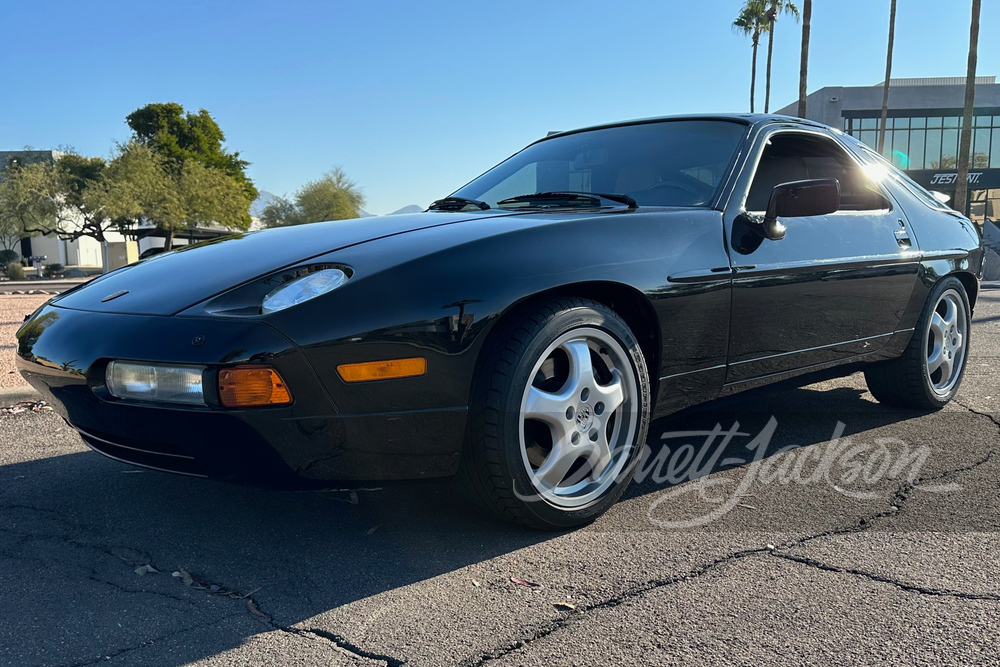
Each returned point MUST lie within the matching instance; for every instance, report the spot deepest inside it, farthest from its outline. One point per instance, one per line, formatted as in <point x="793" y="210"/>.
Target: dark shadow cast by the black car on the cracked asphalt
<point x="77" y="526"/>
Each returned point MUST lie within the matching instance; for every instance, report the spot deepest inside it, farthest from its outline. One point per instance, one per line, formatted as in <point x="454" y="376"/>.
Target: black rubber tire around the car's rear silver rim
<point x="905" y="381"/>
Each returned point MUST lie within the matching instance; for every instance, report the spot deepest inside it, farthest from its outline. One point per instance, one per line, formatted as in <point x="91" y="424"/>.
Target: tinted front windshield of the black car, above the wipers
<point x="666" y="163"/>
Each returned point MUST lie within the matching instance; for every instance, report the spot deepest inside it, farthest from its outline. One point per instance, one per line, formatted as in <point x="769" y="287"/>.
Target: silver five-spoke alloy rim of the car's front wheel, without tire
<point x="579" y="414"/>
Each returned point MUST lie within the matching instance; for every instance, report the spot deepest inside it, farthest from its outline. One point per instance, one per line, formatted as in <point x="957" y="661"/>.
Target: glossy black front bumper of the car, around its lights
<point x="62" y="352"/>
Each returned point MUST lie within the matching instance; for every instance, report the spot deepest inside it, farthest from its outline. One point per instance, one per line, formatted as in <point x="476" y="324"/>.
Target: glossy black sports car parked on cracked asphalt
<point x="523" y="332"/>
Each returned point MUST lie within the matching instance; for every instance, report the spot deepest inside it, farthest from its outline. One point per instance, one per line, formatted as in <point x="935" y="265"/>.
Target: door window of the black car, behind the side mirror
<point x="797" y="157"/>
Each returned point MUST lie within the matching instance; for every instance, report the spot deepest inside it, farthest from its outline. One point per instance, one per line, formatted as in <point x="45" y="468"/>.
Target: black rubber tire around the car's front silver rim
<point x="493" y="469"/>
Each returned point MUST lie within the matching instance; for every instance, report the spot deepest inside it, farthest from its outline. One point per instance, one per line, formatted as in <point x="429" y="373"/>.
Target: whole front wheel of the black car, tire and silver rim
<point x="559" y="415"/>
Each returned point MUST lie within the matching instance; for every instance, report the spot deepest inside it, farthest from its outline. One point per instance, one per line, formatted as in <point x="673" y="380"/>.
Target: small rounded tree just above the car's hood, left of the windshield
<point x="332" y="197"/>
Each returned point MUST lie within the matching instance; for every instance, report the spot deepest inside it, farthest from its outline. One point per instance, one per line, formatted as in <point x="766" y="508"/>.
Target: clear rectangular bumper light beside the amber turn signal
<point x="156" y="382"/>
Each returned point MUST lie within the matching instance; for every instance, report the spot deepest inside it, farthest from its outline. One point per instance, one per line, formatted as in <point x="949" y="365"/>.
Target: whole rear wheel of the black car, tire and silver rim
<point x="929" y="372"/>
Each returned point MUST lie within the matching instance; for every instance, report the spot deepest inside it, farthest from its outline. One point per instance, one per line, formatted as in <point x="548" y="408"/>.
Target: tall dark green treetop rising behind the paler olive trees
<point x="182" y="139"/>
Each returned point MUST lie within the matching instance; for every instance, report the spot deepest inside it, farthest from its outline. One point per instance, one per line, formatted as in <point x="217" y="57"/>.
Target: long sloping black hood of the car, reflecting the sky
<point x="168" y="283"/>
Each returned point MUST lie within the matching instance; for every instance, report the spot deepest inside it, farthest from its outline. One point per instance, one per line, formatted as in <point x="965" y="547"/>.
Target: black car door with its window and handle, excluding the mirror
<point x="836" y="286"/>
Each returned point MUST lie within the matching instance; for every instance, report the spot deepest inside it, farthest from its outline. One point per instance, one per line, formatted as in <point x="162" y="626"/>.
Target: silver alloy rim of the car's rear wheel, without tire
<point x="947" y="340"/>
